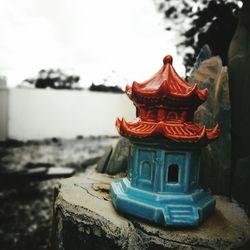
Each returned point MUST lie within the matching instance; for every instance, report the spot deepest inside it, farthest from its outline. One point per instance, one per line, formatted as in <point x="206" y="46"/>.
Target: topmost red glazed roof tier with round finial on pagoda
<point x="166" y="85"/>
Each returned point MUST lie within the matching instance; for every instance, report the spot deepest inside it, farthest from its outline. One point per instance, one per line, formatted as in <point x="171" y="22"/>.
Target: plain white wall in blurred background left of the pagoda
<point x="38" y="114"/>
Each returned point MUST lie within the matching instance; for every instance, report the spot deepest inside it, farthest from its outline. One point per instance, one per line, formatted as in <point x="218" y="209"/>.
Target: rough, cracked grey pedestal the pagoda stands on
<point x="84" y="218"/>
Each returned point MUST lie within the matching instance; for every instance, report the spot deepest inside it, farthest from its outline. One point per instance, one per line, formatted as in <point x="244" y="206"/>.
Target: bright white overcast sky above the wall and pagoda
<point x="91" y="37"/>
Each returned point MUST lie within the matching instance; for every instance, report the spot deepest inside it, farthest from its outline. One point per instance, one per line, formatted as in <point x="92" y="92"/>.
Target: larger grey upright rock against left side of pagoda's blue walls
<point x="118" y="161"/>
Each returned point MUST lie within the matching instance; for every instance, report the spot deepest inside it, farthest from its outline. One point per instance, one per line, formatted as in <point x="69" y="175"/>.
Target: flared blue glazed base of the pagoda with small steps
<point x="178" y="209"/>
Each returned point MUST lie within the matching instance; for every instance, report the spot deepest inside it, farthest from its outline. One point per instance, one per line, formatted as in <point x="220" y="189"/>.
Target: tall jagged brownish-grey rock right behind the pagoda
<point x="216" y="157"/>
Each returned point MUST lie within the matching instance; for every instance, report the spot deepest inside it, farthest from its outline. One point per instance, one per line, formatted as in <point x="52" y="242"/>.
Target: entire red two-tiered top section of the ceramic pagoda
<point x="165" y="107"/>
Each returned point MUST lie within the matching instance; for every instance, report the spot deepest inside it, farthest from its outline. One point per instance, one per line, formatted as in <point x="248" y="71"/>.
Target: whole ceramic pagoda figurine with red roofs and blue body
<point x="164" y="155"/>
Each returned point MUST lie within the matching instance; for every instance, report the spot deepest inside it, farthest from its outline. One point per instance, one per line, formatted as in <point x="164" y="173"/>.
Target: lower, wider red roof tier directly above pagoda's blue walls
<point x="175" y="131"/>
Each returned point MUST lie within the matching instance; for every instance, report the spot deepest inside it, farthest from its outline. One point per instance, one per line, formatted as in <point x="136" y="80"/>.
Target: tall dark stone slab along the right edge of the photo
<point x="239" y="76"/>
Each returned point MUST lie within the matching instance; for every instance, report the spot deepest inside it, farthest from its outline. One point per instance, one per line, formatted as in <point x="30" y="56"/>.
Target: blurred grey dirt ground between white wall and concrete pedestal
<point x="26" y="205"/>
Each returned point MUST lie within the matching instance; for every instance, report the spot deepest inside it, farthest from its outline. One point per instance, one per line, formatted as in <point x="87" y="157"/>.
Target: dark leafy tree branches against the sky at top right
<point x="201" y="22"/>
